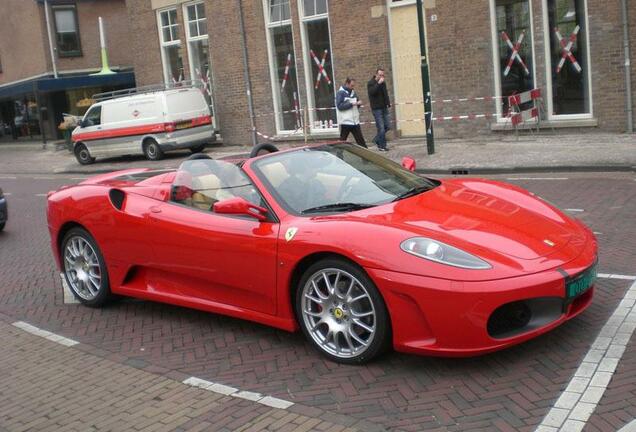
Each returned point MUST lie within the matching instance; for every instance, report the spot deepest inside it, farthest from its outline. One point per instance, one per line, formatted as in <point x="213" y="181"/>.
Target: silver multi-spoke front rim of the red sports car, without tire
<point x="338" y="313"/>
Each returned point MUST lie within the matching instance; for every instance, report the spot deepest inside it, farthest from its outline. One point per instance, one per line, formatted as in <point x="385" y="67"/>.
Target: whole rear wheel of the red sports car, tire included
<point x="84" y="268"/>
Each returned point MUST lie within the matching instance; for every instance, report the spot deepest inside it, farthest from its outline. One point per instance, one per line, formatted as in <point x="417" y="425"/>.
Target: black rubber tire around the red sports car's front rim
<point x="382" y="338"/>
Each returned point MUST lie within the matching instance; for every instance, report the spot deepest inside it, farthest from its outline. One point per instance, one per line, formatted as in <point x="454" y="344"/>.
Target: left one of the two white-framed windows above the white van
<point x="171" y="51"/>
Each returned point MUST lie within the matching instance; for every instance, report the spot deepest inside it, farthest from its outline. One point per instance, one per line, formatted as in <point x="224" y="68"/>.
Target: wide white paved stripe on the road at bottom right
<point x="579" y="400"/>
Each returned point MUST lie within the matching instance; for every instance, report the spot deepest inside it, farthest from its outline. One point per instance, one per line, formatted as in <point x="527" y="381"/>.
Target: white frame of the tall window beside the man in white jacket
<point x="308" y="66"/>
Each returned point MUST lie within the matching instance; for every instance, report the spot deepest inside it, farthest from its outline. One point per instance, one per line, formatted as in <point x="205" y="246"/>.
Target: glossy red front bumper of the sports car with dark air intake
<point x="434" y="316"/>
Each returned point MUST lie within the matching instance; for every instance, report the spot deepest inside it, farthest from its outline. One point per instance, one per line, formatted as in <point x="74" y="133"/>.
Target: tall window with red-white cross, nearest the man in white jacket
<point x="318" y="63"/>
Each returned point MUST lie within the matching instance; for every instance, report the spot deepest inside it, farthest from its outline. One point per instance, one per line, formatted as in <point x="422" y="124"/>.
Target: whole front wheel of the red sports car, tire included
<point x="341" y="312"/>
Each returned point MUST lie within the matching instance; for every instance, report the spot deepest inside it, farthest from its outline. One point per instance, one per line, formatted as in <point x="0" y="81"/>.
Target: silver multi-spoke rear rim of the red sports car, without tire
<point x="81" y="267"/>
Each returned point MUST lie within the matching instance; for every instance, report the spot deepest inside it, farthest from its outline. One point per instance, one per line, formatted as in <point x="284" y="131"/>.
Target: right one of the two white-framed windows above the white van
<point x="198" y="50"/>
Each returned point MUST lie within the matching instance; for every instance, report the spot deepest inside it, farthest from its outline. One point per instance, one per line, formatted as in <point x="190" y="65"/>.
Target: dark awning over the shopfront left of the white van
<point x="49" y="84"/>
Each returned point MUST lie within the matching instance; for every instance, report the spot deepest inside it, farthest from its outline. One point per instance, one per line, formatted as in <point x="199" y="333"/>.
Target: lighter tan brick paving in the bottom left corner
<point x="47" y="386"/>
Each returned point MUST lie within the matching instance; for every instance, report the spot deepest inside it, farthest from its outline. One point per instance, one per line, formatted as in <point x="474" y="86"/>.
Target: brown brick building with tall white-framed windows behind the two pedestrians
<point x="468" y="55"/>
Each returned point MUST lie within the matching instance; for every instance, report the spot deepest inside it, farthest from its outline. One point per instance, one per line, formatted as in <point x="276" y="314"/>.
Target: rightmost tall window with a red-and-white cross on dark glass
<point x="568" y="57"/>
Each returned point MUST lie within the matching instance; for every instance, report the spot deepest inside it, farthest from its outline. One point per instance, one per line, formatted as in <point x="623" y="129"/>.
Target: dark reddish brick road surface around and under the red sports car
<point x="509" y="390"/>
